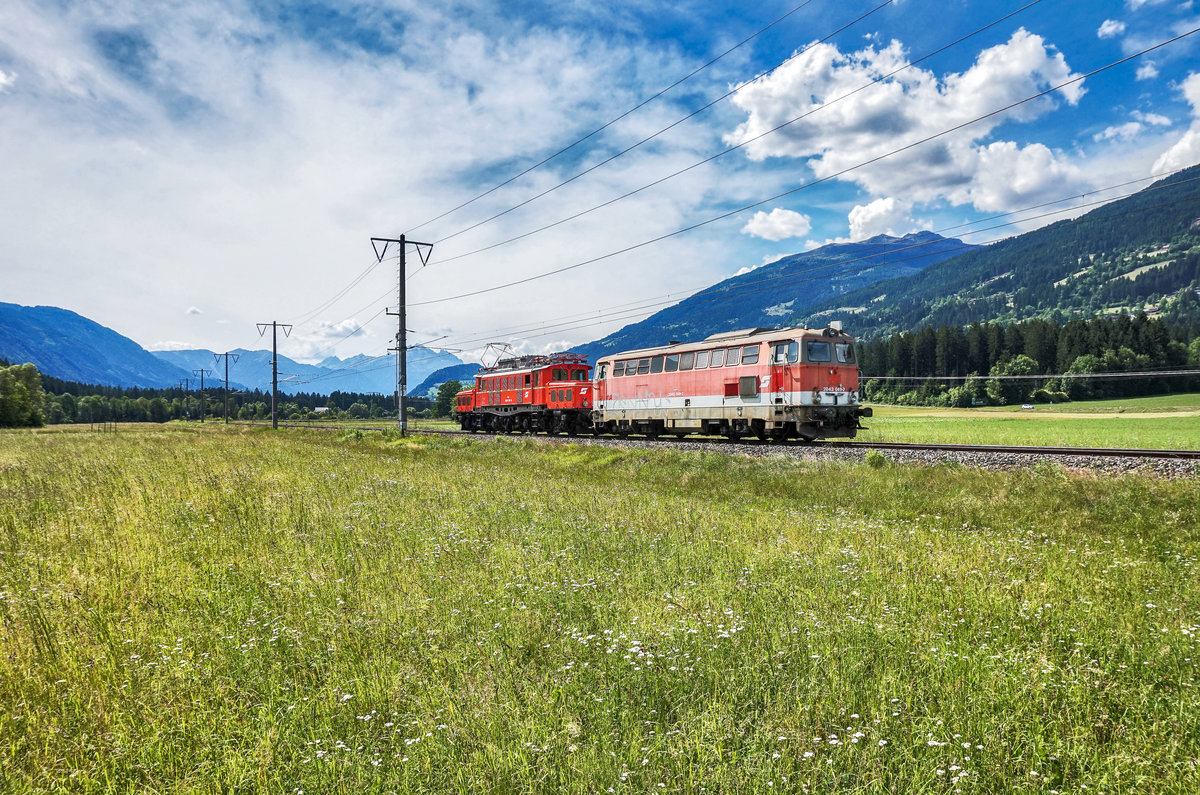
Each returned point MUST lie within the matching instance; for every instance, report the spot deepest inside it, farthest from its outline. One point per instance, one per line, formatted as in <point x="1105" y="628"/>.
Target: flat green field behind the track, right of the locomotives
<point x="1171" y="422"/>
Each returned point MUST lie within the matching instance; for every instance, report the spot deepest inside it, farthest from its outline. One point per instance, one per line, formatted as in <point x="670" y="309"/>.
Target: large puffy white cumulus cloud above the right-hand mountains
<point x="837" y="139"/>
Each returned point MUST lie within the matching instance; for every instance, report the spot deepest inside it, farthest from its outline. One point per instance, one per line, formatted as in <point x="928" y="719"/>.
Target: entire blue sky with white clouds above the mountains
<point x="182" y="172"/>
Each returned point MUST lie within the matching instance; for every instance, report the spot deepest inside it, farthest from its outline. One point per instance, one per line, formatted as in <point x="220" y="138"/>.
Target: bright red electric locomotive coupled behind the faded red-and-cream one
<point x="530" y="394"/>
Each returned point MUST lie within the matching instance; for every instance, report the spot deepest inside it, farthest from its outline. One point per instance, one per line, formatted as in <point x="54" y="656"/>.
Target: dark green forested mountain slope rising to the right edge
<point x="1138" y="254"/>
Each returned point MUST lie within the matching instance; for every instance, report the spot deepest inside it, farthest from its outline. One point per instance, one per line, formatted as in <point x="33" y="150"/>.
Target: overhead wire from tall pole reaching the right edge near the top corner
<point x="812" y="184"/>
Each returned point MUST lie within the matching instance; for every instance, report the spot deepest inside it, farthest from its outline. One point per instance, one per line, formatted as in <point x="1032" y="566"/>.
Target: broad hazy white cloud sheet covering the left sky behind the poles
<point x="259" y="157"/>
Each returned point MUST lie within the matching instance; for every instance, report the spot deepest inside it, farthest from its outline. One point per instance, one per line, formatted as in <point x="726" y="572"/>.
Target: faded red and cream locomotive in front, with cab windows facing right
<point x="771" y="384"/>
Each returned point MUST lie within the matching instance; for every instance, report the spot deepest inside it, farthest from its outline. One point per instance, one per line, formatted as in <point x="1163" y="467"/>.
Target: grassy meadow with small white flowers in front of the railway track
<point x="238" y="611"/>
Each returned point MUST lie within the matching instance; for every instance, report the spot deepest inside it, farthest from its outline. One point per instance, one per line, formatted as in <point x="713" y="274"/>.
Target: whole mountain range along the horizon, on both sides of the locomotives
<point x="1138" y="254"/>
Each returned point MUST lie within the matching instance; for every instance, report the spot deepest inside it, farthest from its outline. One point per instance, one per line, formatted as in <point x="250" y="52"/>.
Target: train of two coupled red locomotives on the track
<point x="771" y="384"/>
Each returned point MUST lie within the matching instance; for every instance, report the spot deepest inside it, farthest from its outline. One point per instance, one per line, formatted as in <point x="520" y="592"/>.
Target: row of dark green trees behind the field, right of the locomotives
<point x="998" y="363"/>
